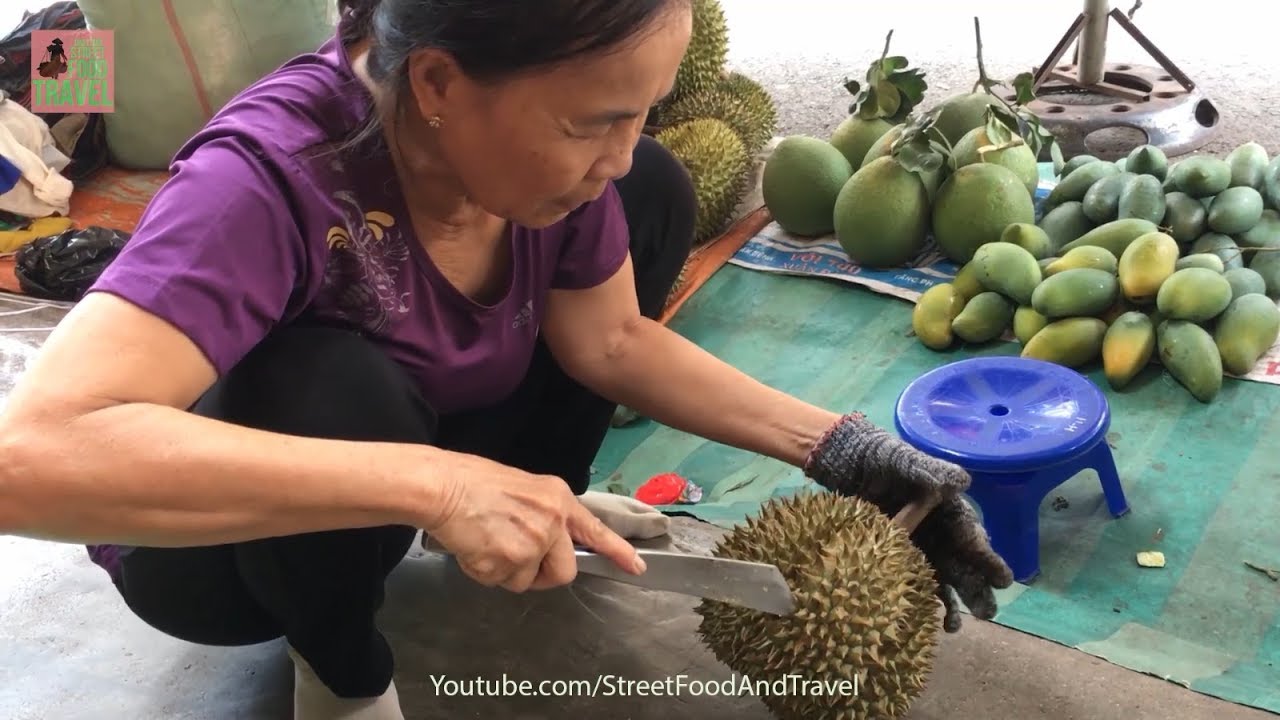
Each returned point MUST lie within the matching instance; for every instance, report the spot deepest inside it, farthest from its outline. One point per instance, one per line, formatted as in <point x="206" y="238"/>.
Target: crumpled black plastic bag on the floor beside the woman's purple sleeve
<point x="65" y="266"/>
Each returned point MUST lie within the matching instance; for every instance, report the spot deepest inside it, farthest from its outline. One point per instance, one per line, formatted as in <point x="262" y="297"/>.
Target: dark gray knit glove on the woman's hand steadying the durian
<point x="857" y="458"/>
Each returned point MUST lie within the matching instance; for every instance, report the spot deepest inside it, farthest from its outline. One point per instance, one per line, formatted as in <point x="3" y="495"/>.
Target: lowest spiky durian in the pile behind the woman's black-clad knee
<point x="719" y="166"/>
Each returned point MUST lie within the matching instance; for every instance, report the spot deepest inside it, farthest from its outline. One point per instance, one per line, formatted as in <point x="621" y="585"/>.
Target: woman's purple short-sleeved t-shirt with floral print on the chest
<point x="266" y="218"/>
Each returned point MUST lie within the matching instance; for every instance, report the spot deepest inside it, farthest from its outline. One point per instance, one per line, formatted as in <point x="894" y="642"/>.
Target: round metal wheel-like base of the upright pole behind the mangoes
<point x="1169" y="116"/>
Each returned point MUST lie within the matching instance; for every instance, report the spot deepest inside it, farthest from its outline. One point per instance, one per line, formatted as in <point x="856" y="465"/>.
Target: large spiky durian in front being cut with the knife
<point x="866" y="612"/>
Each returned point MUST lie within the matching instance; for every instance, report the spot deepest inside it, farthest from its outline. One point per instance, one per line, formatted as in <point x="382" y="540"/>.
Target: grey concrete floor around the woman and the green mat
<point x="72" y="651"/>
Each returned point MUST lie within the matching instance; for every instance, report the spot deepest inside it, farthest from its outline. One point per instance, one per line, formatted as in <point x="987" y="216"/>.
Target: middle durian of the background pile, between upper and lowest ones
<point x="738" y="101"/>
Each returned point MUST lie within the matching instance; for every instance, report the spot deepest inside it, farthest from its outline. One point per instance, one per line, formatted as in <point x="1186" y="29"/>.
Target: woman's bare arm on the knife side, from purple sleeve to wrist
<point x="97" y="446"/>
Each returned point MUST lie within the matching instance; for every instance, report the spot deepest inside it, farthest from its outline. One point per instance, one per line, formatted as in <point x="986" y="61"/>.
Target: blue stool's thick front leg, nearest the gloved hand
<point x="1012" y="517"/>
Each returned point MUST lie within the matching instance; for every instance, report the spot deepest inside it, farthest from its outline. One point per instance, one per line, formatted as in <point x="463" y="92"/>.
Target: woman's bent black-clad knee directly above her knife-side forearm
<point x="322" y="382"/>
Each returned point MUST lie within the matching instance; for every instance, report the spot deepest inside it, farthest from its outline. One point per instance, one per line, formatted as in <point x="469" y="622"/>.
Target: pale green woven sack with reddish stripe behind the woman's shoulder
<point x="179" y="62"/>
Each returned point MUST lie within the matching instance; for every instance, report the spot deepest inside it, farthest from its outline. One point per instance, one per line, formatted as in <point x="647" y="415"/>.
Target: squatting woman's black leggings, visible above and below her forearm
<point x="322" y="591"/>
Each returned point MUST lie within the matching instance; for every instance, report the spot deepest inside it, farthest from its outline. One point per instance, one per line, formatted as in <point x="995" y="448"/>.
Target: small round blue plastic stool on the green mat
<point x="1021" y="427"/>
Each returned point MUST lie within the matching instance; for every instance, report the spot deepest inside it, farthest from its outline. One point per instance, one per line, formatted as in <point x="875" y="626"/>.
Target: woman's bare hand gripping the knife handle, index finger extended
<point x="518" y="531"/>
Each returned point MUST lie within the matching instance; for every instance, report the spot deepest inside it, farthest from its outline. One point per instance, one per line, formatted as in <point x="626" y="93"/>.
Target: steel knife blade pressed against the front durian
<point x="757" y="586"/>
